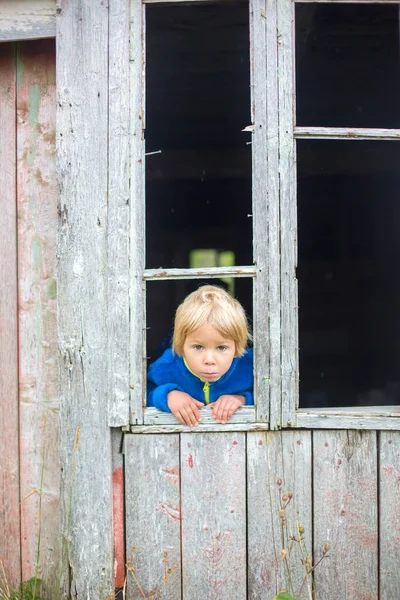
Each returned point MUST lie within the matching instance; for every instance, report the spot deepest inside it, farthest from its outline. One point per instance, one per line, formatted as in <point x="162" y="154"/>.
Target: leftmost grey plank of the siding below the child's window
<point x="153" y="516"/>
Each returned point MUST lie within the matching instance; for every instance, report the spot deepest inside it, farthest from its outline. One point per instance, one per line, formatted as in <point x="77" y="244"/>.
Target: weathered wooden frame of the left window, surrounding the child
<point x="264" y="272"/>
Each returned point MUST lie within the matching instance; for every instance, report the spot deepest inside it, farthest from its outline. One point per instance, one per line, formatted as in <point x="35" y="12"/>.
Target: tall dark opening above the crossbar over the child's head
<point x="198" y="188"/>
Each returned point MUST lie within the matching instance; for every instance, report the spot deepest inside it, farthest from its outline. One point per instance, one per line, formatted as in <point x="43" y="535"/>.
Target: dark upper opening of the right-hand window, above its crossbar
<point x="347" y="65"/>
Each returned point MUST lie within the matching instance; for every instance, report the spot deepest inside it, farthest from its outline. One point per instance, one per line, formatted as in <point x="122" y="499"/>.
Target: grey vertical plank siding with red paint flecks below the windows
<point x="334" y="479"/>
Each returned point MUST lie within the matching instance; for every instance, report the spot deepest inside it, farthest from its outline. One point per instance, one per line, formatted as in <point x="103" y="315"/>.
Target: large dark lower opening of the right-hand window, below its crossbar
<point x="349" y="280"/>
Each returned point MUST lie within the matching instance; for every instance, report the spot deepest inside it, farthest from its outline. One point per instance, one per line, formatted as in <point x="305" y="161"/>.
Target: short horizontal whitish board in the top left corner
<point x="27" y="19"/>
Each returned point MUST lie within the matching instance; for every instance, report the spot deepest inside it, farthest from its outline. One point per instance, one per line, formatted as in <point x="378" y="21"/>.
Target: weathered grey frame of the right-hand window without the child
<point x="367" y="417"/>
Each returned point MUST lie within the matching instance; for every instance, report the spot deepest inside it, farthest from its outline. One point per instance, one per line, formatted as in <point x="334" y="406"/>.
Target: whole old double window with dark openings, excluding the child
<point x="260" y="159"/>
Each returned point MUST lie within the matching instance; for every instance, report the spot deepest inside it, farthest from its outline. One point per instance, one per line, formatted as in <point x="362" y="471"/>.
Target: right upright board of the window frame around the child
<point x="265" y="191"/>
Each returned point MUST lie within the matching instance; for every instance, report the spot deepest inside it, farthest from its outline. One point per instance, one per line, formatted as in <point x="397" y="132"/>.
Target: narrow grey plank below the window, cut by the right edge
<point x="389" y="510"/>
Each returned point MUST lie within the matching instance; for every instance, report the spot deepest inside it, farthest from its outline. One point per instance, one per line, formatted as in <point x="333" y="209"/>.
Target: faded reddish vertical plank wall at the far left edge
<point x="29" y="442"/>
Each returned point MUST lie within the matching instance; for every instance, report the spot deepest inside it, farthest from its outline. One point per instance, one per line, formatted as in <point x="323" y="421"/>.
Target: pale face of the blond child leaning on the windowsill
<point x="208" y="354"/>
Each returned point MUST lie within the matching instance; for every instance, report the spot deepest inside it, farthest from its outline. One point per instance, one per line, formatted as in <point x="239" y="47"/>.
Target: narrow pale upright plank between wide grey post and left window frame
<point x="118" y="215"/>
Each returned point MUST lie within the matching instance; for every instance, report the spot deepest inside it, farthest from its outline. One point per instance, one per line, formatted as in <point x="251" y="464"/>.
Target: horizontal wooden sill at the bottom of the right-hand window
<point x="325" y="419"/>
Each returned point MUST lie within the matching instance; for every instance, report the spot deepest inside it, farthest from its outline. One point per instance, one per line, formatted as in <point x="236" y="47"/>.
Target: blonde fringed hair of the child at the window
<point x="213" y="305"/>
